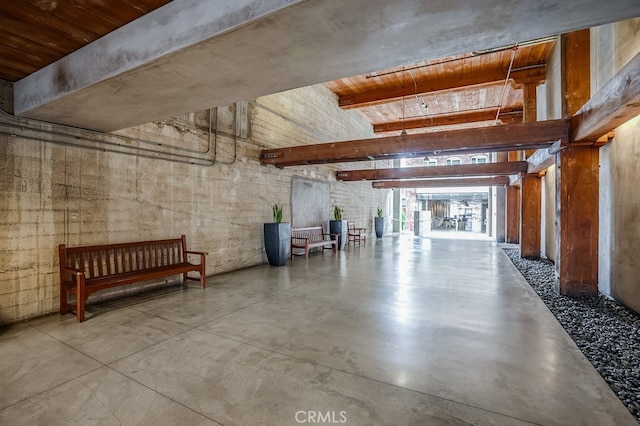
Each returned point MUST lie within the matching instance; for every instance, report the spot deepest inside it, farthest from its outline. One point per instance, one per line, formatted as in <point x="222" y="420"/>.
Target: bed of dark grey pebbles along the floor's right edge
<point x="607" y="333"/>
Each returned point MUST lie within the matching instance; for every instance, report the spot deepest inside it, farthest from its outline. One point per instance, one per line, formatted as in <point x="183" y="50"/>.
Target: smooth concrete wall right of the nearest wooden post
<point x="613" y="46"/>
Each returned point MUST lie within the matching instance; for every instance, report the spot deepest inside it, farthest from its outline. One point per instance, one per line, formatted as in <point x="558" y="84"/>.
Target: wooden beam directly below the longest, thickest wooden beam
<point x="486" y="169"/>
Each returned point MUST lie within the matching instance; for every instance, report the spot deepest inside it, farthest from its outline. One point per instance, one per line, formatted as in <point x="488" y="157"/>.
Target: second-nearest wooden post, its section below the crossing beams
<point x="530" y="216"/>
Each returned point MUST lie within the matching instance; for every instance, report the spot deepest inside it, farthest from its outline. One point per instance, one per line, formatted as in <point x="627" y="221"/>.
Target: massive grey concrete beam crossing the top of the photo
<point x="194" y="54"/>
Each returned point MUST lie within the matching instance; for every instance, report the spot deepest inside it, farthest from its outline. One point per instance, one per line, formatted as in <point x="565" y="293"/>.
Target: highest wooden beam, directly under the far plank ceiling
<point x="530" y="75"/>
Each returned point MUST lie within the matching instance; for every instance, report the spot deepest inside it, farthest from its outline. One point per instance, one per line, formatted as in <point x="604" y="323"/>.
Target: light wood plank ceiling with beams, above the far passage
<point x="462" y="91"/>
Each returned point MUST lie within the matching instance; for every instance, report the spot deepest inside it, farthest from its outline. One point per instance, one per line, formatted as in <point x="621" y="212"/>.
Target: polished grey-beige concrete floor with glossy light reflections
<point x="401" y="331"/>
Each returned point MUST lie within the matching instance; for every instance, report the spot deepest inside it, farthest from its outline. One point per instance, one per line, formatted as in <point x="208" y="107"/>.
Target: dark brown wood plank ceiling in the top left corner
<point x="36" y="33"/>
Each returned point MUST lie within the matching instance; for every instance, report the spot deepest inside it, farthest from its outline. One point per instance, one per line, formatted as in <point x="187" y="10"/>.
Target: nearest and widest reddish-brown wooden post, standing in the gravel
<point x="577" y="183"/>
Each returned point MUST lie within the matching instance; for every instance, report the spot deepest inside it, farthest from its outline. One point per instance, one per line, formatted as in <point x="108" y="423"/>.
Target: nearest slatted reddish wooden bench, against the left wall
<point x="85" y="270"/>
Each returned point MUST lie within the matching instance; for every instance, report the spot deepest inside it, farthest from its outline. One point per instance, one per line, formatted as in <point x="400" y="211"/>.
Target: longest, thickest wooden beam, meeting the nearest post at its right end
<point x="505" y="137"/>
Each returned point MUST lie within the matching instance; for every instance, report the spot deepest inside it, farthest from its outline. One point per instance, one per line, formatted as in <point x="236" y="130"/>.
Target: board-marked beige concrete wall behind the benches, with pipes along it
<point x="53" y="193"/>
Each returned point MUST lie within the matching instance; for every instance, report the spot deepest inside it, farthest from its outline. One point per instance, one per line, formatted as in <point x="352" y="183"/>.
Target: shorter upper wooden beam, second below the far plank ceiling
<point x="506" y="117"/>
